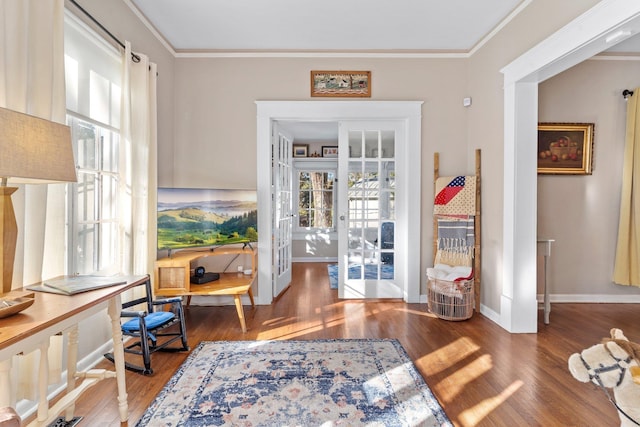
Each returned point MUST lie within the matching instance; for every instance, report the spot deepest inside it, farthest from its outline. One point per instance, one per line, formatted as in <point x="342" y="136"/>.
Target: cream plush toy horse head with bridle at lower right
<point x="613" y="364"/>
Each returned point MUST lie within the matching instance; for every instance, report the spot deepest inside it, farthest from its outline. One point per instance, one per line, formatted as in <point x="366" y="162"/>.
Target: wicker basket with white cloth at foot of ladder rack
<point x="451" y="300"/>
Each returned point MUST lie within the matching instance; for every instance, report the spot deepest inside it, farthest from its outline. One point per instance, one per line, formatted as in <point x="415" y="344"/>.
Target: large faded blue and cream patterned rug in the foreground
<point x="296" y="383"/>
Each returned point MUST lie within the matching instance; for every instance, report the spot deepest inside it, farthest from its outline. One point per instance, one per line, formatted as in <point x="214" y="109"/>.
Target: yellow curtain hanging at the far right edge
<point x="627" y="265"/>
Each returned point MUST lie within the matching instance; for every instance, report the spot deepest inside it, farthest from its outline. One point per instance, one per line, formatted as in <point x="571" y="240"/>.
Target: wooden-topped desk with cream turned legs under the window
<point x="49" y="315"/>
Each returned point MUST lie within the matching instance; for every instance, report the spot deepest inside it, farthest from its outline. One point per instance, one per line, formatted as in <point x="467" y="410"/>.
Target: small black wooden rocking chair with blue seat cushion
<point x="153" y="329"/>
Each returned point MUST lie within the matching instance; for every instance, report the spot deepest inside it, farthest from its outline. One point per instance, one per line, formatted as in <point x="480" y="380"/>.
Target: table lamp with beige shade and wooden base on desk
<point x="32" y="150"/>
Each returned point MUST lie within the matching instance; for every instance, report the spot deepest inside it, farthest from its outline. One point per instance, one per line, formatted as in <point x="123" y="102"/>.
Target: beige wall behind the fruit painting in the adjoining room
<point x="582" y="212"/>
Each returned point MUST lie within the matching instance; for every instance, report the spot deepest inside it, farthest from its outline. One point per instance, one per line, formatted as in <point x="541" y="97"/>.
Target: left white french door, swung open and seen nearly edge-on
<point x="283" y="210"/>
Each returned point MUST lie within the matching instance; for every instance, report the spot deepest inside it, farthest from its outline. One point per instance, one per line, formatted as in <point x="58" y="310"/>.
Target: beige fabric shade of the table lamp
<point x="32" y="148"/>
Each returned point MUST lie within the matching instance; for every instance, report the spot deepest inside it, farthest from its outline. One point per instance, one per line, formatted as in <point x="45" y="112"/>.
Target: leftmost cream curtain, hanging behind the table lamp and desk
<point x="32" y="81"/>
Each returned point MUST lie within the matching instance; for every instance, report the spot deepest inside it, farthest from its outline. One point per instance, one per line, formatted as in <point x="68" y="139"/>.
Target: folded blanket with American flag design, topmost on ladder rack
<point x="455" y="196"/>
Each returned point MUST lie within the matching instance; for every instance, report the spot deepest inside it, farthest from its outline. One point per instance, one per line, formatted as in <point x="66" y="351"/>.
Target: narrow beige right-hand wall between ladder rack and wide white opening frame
<point x="486" y="124"/>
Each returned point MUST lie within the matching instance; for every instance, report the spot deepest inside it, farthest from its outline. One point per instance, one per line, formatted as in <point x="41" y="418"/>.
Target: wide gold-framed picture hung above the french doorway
<point x="341" y="84"/>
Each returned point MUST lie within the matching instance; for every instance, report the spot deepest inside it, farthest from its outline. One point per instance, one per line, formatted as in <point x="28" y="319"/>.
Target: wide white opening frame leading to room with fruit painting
<point x="579" y="40"/>
